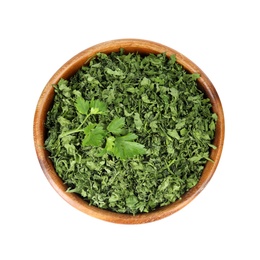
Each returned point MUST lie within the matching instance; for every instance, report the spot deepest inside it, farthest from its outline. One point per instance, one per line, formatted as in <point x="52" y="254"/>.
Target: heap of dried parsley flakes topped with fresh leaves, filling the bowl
<point x="130" y="133"/>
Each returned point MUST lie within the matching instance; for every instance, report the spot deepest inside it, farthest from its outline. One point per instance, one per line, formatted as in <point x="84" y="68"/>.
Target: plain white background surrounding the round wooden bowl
<point x="221" y="37"/>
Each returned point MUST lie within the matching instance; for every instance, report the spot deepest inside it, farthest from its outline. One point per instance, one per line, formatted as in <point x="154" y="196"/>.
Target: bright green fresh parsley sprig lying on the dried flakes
<point x="121" y="146"/>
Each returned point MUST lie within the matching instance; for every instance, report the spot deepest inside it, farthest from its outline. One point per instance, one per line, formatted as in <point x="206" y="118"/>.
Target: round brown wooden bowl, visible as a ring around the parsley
<point x="70" y="68"/>
